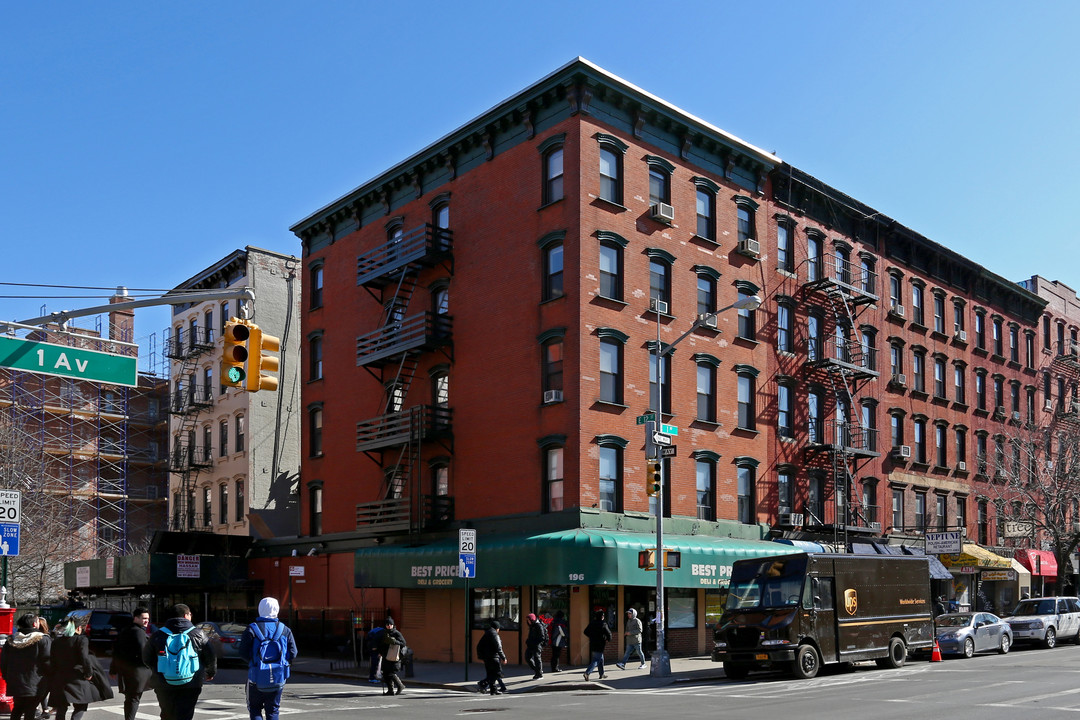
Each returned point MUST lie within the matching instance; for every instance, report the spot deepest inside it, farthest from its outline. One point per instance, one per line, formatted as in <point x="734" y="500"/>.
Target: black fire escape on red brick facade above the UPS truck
<point x="842" y="362"/>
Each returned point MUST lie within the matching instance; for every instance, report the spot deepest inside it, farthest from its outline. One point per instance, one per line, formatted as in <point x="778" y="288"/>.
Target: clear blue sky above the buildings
<point x="145" y="141"/>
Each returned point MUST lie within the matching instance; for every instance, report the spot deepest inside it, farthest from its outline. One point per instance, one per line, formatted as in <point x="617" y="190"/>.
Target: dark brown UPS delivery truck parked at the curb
<point x="800" y="612"/>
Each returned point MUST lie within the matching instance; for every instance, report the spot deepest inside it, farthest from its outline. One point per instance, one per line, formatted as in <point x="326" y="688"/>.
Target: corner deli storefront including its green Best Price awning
<point x="575" y="573"/>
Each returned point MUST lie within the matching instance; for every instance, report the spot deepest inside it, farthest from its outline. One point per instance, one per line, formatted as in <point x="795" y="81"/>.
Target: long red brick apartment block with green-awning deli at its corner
<point x="481" y="325"/>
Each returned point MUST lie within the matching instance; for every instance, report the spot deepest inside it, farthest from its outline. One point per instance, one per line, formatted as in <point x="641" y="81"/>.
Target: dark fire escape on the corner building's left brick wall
<point x="391" y="354"/>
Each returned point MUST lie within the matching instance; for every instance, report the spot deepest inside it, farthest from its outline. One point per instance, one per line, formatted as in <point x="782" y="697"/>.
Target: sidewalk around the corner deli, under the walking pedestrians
<point x="519" y="678"/>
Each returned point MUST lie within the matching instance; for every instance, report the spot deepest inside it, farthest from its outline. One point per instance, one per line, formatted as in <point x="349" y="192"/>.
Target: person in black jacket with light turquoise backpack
<point x="182" y="659"/>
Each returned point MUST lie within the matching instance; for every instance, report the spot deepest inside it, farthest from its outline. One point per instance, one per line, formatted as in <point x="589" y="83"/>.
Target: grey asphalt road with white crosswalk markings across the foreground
<point x="1025" y="684"/>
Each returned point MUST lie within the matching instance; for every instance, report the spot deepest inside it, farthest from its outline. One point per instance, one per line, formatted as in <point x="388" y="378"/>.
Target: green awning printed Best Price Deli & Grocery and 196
<point x="569" y="558"/>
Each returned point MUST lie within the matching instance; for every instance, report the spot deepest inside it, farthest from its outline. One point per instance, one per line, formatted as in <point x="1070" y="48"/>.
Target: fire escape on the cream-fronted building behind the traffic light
<point x="186" y="401"/>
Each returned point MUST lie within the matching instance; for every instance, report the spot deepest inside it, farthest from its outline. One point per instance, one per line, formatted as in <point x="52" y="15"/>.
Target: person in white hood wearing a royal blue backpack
<point x="269" y="648"/>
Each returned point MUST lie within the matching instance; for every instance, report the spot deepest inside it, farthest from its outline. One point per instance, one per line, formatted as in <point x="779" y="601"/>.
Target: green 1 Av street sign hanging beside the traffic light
<point x="49" y="359"/>
